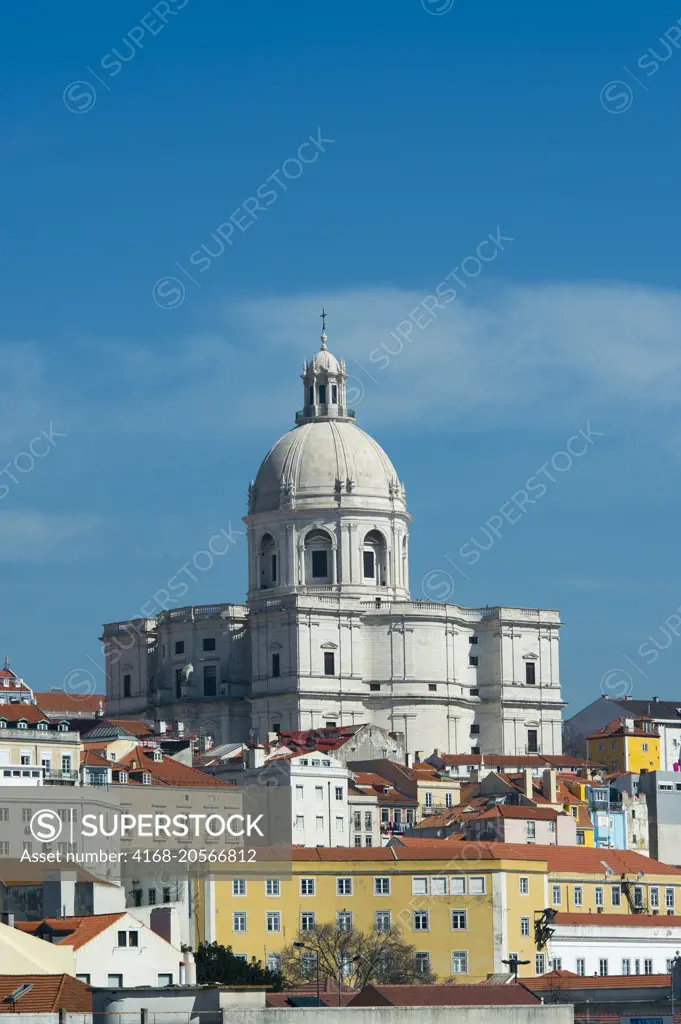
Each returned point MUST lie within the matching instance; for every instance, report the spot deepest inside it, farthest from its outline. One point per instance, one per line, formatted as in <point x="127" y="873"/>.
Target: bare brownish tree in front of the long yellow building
<point x="361" y="957"/>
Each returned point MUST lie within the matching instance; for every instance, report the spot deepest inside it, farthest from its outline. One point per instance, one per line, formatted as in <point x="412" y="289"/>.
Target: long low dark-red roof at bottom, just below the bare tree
<point x="445" y="996"/>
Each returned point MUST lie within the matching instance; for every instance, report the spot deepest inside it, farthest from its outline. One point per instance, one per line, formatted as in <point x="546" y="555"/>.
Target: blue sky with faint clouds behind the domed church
<point x="444" y="125"/>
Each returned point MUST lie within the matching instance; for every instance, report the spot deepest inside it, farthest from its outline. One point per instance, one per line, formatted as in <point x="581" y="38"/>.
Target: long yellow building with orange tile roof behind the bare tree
<point x="463" y="907"/>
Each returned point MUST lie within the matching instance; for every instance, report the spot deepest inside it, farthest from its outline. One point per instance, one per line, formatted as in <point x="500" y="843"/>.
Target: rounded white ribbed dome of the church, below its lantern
<point x="325" y="463"/>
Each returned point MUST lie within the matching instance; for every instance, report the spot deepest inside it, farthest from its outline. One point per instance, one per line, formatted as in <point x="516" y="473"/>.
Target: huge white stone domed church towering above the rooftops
<point x="330" y="634"/>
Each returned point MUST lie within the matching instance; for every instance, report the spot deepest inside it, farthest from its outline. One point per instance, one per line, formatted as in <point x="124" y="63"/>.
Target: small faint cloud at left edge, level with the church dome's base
<point x="33" y="537"/>
